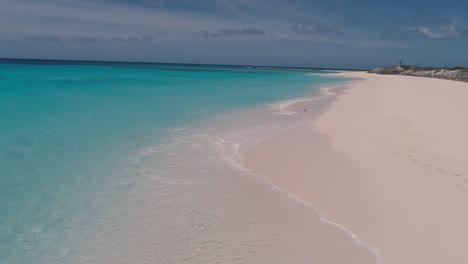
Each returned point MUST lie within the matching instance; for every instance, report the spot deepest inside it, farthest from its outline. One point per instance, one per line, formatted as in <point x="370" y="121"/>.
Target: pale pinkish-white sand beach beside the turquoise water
<point x="387" y="160"/>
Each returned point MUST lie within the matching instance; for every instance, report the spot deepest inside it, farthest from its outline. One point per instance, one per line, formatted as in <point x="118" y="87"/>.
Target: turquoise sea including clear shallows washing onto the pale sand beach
<point x="134" y="163"/>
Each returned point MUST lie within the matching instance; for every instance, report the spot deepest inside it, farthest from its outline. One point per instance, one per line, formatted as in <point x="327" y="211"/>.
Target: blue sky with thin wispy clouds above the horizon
<point x="332" y="33"/>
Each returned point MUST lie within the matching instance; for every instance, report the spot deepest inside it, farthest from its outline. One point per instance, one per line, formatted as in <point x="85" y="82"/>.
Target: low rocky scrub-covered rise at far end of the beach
<point x="456" y="73"/>
